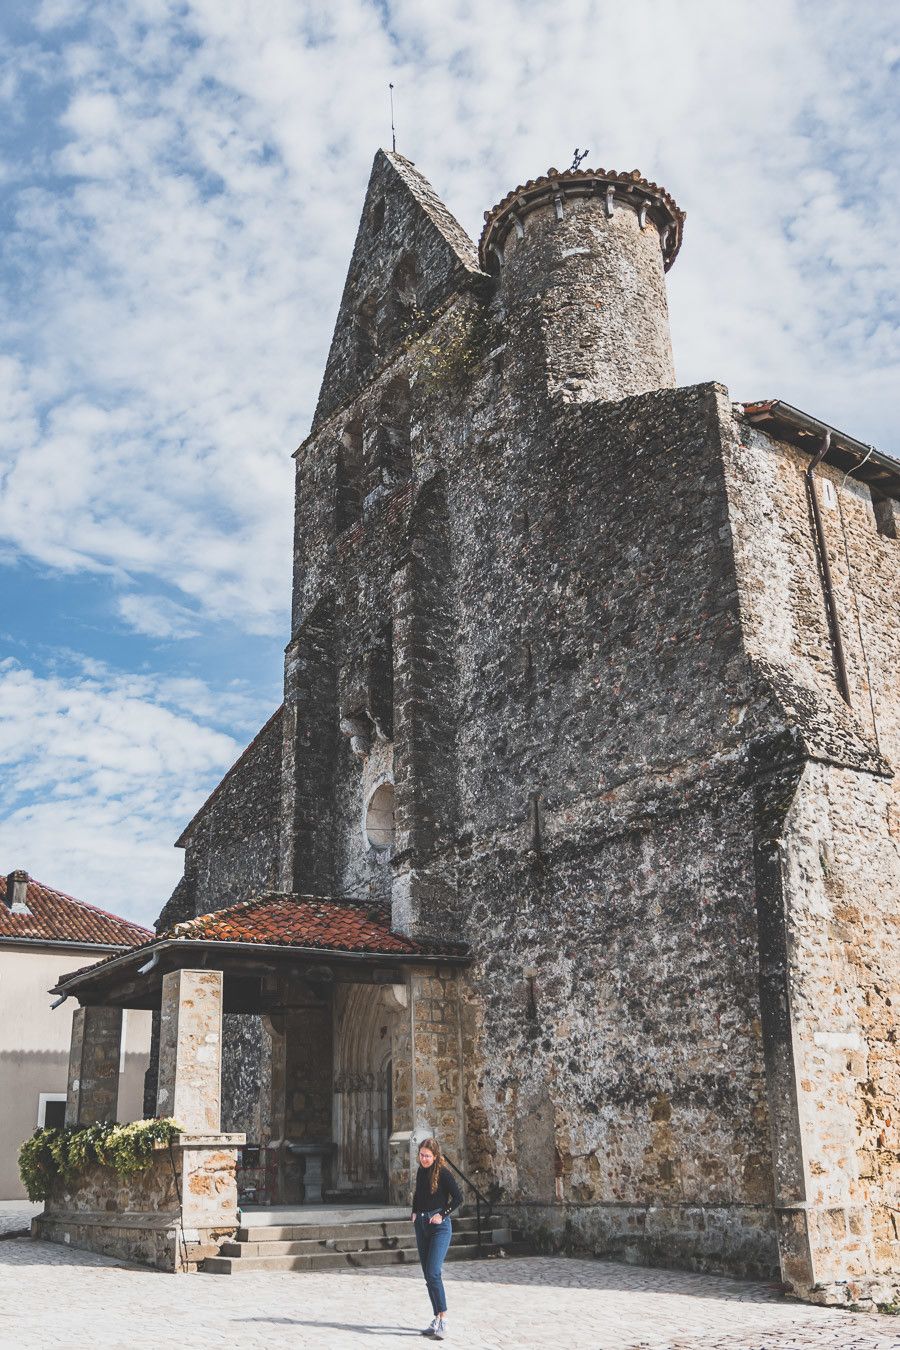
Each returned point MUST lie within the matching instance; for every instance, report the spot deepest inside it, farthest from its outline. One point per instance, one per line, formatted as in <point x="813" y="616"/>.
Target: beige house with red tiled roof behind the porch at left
<point x="45" y="935"/>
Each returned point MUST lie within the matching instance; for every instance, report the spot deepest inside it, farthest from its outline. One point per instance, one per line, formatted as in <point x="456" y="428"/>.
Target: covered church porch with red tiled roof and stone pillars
<point x="361" y="1059"/>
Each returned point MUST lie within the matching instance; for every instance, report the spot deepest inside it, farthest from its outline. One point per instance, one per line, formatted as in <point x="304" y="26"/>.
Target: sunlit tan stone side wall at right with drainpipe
<point x="840" y="843"/>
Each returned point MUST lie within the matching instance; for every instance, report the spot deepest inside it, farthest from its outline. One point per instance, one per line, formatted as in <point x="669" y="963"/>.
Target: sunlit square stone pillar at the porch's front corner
<point x="191" y="1051"/>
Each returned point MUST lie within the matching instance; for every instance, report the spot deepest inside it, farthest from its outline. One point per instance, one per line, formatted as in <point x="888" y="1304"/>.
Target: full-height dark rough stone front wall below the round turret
<point x="616" y="1071"/>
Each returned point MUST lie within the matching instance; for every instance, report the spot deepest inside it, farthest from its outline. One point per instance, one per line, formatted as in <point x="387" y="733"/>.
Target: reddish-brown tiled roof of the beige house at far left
<point x="60" y="920"/>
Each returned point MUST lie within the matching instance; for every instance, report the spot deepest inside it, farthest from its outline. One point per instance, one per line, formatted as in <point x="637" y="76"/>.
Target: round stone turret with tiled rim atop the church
<point x="581" y="260"/>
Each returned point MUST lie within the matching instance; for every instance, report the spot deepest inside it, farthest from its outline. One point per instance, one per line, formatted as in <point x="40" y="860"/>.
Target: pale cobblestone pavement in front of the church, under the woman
<point x="52" y="1295"/>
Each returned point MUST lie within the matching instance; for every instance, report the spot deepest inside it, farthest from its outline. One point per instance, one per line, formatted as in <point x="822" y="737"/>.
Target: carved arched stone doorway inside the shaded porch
<point x="362" y="1117"/>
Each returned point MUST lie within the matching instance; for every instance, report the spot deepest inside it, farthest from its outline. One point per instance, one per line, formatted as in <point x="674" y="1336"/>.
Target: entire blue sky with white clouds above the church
<point x="180" y="187"/>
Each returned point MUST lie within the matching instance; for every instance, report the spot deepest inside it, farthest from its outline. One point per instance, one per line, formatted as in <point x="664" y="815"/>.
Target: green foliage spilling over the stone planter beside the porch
<point x="51" y="1155"/>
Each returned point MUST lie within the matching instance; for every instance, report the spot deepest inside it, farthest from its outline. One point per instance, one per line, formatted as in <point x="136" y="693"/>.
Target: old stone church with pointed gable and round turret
<point x="577" y="838"/>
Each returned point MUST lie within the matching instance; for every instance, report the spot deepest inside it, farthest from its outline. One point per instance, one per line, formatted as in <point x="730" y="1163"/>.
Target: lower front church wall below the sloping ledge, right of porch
<point x="628" y="1109"/>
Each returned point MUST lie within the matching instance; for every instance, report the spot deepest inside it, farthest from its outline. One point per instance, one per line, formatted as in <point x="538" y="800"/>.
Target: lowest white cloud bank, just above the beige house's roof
<point x="102" y="773"/>
